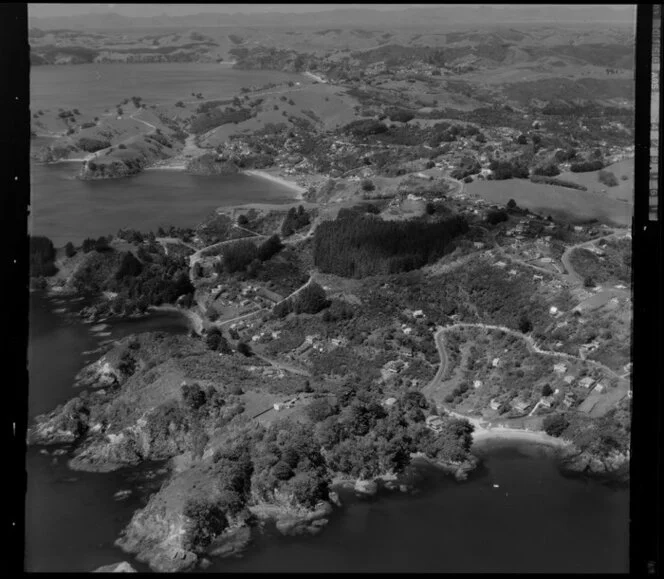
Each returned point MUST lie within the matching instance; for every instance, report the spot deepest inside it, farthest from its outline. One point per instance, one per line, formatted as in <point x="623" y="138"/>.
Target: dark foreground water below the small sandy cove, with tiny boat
<point x="535" y="521"/>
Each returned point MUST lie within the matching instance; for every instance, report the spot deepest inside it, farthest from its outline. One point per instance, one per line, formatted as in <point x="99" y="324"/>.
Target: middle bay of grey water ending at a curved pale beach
<point x="68" y="209"/>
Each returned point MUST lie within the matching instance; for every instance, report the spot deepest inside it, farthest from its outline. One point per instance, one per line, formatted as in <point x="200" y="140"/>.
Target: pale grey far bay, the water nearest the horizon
<point x="92" y="88"/>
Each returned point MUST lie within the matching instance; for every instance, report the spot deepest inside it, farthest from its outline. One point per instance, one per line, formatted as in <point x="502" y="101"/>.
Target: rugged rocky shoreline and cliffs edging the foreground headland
<point x="157" y="534"/>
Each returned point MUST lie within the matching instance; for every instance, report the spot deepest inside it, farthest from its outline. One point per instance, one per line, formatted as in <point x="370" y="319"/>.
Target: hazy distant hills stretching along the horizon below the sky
<point x="446" y="17"/>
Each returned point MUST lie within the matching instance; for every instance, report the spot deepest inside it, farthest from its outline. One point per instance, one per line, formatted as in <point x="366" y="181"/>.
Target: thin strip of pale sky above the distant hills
<point x="137" y="10"/>
